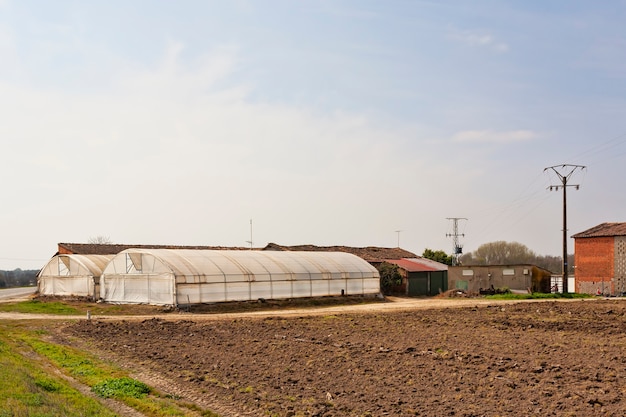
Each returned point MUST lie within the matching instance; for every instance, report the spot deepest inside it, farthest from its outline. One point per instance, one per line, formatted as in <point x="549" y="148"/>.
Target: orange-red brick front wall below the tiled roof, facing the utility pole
<point x="594" y="260"/>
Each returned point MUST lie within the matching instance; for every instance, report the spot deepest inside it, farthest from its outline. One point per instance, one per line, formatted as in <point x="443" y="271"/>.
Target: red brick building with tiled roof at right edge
<point x="600" y="259"/>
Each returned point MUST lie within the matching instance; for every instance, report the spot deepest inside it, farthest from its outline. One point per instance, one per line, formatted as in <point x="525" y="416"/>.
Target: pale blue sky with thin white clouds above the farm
<point x="345" y="122"/>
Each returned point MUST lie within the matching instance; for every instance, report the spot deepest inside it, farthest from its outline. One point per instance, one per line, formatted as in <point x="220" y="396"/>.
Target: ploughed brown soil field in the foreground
<point x="547" y="358"/>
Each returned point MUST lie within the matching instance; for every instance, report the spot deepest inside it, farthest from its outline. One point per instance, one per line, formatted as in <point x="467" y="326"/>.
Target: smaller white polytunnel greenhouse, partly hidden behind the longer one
<point x="72" y="275"/>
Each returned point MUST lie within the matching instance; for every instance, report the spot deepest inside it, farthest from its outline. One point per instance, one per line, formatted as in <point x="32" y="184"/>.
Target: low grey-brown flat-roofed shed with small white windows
<point x="521" y="278"/>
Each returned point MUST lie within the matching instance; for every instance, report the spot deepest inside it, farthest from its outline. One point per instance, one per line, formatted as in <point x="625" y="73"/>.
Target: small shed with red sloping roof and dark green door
<point x="421" y="276"/>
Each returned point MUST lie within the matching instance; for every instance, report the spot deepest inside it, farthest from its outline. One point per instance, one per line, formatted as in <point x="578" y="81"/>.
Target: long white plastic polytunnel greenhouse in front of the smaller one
<point x="184" y="276"/>
